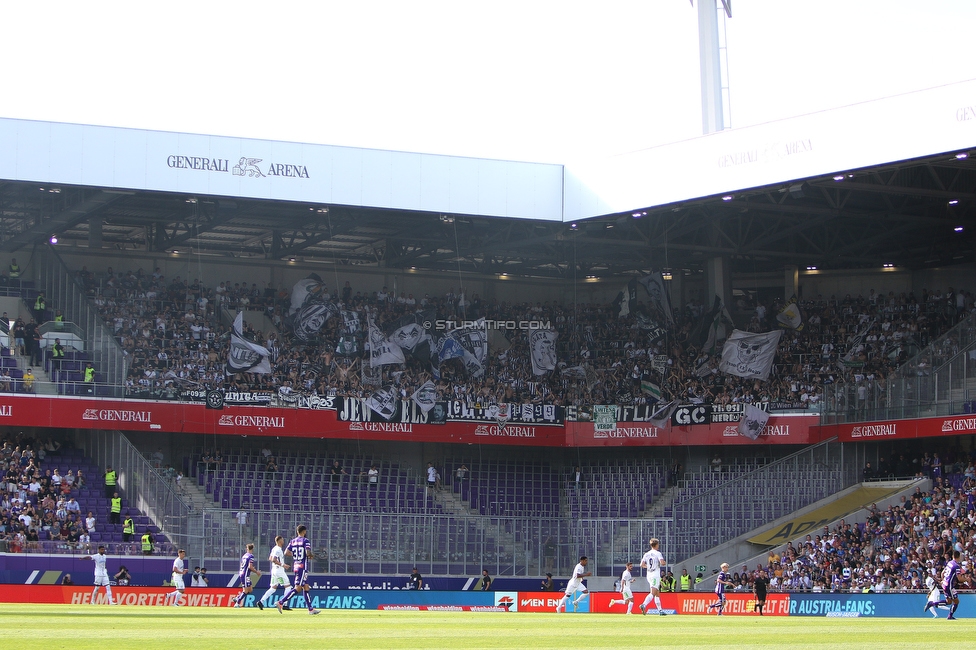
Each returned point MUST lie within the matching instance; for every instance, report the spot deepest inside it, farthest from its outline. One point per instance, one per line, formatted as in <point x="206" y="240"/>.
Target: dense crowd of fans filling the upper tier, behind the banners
<point x="173" y="333"/>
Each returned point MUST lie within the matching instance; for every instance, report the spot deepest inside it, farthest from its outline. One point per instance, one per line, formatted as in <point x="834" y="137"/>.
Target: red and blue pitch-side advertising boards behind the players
<point x="777" y="604"/>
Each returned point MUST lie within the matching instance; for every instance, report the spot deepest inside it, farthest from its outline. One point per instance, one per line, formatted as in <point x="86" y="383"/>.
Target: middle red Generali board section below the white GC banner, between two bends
<point x="780" y="430"/>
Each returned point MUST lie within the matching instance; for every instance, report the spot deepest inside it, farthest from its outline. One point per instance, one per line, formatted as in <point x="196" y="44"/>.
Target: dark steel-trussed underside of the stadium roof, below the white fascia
<point x="903" y="213"/>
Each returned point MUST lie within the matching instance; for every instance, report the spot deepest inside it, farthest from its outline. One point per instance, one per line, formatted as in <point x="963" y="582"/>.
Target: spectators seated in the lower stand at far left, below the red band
<point x="36" y="504"/>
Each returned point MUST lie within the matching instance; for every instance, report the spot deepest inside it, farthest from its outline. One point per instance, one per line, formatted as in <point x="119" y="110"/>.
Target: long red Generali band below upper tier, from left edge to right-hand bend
<point x="181" y="417"/>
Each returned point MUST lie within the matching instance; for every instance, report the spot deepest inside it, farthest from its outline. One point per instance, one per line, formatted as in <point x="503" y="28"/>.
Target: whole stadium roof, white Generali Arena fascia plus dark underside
<point x="817" y="190"/>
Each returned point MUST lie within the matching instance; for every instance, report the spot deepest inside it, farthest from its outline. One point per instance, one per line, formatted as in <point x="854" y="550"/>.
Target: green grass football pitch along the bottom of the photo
<point x="85" y="626"/>
